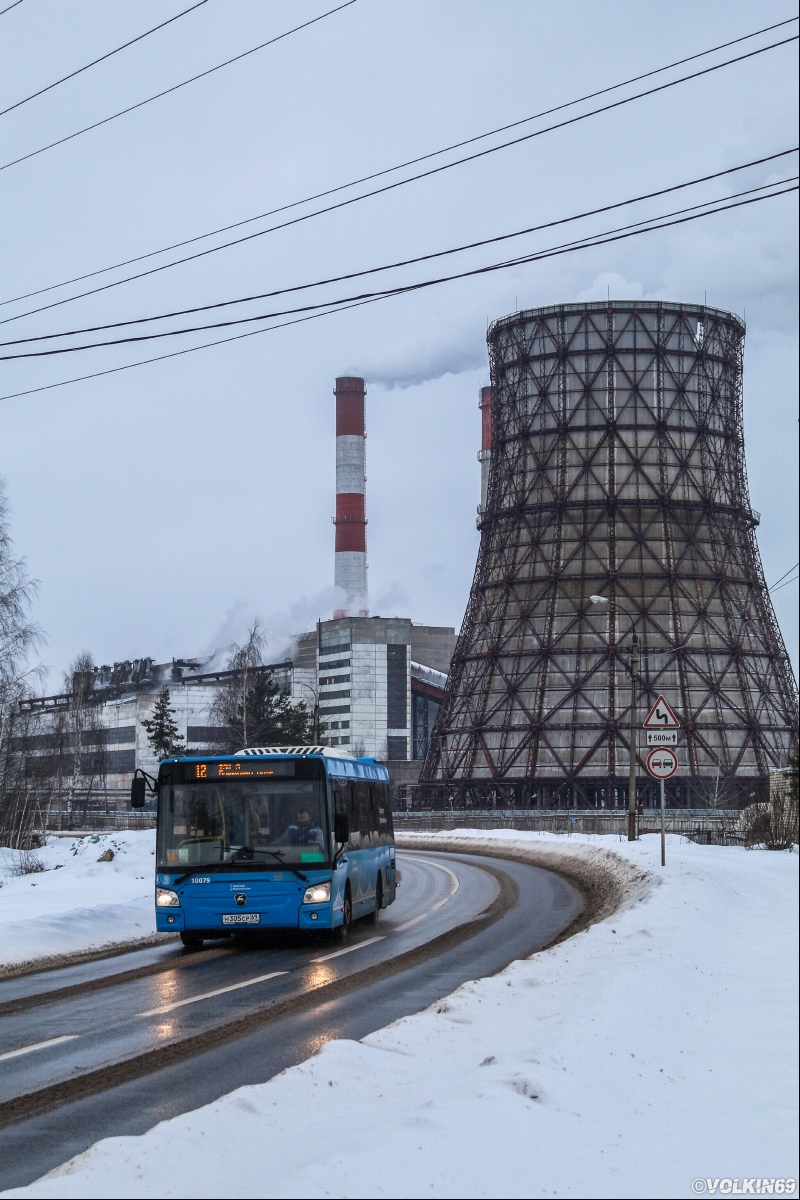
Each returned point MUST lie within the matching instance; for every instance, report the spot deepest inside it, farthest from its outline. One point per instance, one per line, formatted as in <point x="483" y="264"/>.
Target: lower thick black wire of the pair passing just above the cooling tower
<point x="621" y="235"/>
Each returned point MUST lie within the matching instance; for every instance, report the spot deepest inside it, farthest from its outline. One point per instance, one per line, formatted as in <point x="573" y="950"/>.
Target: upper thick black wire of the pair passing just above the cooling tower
<point x="422" y="259"/>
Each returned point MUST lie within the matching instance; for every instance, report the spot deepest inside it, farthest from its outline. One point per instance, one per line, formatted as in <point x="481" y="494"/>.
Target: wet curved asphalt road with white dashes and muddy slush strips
<point x="113" y="1047"/>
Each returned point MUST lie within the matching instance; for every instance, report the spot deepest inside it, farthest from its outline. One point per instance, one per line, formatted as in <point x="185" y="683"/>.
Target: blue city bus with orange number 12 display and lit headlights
<point x="278" y="838"/>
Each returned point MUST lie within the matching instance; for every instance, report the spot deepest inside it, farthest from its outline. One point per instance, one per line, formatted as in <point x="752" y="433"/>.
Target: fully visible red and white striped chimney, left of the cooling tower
<point x="351" y="521"/>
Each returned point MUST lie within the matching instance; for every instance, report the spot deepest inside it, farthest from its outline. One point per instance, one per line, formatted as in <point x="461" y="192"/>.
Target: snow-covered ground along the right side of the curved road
<point x="655" y="1049"/>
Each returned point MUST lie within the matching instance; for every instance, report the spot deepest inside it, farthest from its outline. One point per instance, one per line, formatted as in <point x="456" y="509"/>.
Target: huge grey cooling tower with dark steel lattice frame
<point x="618" y="469"/>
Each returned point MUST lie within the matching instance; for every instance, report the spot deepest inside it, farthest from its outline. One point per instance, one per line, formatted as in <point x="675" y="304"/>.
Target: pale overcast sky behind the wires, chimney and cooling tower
<point x="163" y="508"/>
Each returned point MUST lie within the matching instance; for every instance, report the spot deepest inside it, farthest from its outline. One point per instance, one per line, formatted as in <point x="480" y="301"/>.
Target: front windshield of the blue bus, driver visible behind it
<point x="251" y="824"/>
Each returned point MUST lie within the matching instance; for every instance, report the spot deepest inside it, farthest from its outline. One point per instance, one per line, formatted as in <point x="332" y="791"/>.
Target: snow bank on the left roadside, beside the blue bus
<point x="77" y="904"/>
